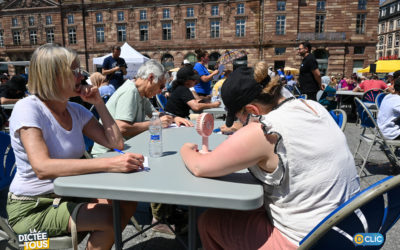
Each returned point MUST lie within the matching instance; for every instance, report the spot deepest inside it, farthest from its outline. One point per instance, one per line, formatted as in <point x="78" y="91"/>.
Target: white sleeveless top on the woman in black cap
<point x="316" y="171"/>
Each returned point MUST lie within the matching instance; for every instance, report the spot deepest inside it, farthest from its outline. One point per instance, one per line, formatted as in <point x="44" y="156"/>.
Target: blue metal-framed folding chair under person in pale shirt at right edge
<point x="375" y="136"/>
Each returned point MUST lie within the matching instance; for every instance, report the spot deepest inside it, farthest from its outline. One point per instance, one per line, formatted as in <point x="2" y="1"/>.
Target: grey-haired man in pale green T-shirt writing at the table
<point x="129" y="105"/>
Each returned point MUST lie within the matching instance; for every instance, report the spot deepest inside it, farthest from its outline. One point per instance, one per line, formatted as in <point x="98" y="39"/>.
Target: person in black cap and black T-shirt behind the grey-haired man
<point x="182" y="100"/>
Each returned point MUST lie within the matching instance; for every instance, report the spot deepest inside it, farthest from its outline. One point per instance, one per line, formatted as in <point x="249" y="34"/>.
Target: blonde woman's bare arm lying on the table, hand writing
<point x="48" y="168"/>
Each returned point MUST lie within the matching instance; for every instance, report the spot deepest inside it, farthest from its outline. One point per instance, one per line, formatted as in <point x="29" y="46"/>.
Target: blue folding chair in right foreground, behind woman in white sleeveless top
<point x="374" y="210"/>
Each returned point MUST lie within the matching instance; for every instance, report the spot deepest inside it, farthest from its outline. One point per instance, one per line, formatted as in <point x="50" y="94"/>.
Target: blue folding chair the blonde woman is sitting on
<point x="7" y="164"/>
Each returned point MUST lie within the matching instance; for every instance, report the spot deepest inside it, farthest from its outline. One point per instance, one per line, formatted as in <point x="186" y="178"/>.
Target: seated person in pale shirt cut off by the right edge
<point x="389" y="113"/>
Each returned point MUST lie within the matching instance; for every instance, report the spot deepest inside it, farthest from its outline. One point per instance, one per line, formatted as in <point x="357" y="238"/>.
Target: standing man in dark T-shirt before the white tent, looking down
<point x="114" y="68"/>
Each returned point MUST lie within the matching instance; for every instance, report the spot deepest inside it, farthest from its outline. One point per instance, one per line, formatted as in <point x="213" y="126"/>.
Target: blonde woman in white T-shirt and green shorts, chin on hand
<point x="46" y="135"/>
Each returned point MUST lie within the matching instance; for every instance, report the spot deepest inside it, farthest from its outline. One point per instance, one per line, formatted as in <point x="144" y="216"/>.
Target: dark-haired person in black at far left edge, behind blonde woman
<point x="13" y="90"/>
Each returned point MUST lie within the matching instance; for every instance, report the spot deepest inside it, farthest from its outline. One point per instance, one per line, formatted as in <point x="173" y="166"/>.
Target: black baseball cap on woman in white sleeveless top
<point x="239" y="89"/>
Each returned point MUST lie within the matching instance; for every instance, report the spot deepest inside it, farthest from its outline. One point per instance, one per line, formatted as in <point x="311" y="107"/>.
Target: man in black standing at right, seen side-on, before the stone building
<point x="310" y="77"/>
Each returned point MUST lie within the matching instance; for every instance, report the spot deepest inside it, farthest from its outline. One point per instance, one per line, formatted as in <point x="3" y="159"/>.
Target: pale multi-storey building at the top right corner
<point x="388" y="30"/>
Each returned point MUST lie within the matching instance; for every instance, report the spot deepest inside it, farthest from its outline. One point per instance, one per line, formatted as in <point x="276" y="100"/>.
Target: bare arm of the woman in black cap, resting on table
<point x="247" y="147"/>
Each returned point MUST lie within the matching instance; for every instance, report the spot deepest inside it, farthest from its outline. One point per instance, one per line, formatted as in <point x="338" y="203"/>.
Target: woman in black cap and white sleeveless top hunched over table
<point x="293" y="146"/>
